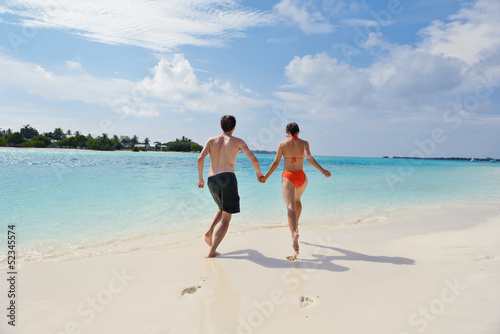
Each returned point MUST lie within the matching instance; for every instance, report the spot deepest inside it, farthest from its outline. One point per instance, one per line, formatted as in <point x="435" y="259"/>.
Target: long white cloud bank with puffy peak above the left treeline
<point x="172" y="87"/>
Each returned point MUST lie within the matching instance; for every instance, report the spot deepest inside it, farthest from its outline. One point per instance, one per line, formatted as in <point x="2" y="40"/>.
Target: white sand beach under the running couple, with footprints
<point x="428" y="271"/>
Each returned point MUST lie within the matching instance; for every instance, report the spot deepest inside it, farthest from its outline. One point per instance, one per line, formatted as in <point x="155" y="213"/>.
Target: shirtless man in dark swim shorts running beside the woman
<point x="222" y="182"/>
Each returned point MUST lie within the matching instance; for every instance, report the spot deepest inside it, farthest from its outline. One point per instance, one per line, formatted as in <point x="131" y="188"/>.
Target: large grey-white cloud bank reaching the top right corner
<point x="404" y="79"/>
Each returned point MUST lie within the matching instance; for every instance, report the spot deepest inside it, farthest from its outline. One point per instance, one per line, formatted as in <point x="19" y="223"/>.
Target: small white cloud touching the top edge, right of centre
<point x="302" y="14"/>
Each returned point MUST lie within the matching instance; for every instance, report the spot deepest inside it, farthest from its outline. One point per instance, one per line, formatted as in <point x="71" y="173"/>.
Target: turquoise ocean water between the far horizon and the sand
<point x="83" y="203"/>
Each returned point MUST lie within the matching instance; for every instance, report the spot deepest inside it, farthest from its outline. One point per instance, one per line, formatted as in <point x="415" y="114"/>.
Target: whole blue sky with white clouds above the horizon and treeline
<point x="361" y="78"/>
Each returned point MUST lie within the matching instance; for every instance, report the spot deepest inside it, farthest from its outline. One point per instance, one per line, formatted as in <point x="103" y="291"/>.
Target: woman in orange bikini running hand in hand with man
<point x="294" y="180"/>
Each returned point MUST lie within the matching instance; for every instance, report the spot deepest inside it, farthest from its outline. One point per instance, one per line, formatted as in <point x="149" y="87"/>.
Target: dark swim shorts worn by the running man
<point x="224" y="190"/>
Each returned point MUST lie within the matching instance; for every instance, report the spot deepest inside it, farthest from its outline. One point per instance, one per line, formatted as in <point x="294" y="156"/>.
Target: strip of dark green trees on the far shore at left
<point x="28" y="136"/>
